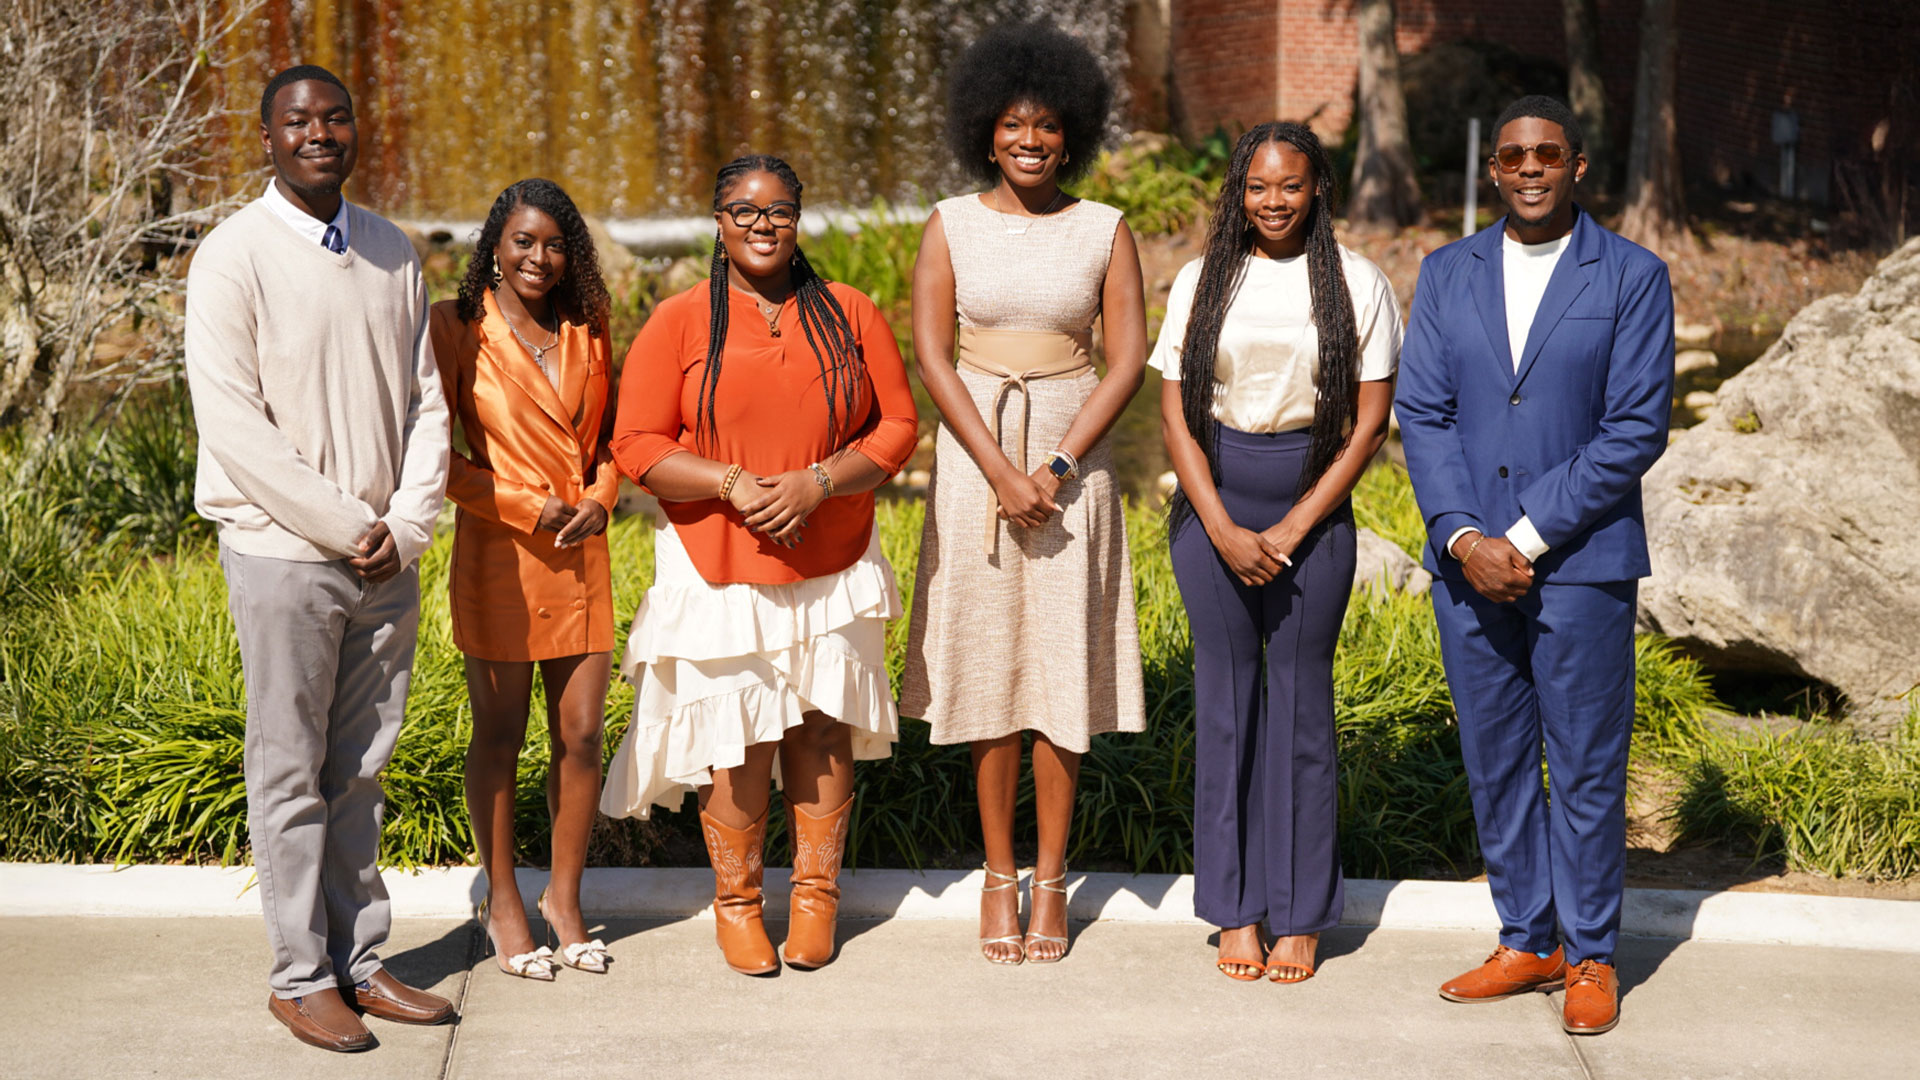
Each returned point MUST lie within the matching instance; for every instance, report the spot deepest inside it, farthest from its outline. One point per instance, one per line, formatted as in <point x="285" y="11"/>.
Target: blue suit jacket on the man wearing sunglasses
<point x="1566" y="439"/>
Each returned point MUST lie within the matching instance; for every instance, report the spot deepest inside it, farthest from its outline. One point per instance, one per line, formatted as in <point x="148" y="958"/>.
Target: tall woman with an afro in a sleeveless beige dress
<point x="1024" y="597"/>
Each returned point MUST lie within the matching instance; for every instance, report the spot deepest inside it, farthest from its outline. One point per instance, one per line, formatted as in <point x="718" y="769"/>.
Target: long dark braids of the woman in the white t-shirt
<point x="1230" y="243"/>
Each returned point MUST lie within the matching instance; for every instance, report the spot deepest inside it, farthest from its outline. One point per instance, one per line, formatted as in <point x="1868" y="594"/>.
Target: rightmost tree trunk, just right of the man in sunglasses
<point x="1656" y="199"/>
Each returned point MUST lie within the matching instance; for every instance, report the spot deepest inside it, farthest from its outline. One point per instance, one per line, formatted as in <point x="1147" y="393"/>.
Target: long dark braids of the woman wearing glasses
<point x="828" y="331"/>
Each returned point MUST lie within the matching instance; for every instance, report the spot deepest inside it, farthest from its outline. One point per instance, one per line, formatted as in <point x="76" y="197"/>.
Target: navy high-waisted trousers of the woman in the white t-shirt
<point x="1266" y="783"/>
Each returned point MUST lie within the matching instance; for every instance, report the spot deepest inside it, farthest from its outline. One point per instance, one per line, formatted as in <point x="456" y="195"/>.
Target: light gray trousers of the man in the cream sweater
<point x="327" y="662"/>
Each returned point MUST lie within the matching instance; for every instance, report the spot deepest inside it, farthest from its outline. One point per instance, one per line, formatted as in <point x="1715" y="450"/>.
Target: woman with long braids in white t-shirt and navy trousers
<point x="1278" y="362"/>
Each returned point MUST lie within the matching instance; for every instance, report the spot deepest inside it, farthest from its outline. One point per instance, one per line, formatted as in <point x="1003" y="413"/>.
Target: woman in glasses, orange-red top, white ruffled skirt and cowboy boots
<point x="763" y="408"/>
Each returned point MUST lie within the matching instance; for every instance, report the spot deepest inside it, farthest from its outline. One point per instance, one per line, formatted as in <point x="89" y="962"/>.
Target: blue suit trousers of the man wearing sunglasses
<point x="1554" y="670"/>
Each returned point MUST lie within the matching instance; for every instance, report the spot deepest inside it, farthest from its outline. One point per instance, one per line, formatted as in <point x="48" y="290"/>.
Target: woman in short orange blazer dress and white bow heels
<point x="525" y="362"/>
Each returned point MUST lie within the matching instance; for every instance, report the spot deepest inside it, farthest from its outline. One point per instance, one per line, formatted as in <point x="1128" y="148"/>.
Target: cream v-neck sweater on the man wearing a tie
<point x="314" y="387"/>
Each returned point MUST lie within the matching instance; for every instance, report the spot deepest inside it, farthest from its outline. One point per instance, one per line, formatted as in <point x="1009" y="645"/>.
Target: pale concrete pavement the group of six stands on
<point x="913" y="998"/>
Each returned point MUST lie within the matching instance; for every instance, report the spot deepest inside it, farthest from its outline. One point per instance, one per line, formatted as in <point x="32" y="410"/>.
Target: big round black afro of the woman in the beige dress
<point x="1026" y="62"/>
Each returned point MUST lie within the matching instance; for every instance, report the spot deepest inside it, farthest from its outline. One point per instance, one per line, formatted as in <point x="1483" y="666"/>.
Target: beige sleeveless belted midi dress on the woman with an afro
<point x="1024" y="629"/>
